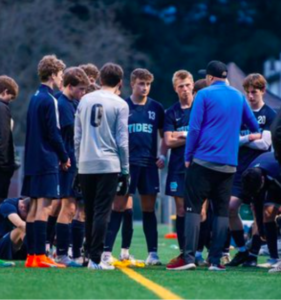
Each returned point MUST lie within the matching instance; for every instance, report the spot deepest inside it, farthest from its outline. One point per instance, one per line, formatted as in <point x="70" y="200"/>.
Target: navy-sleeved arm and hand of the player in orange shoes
<point x="54" y="134"/>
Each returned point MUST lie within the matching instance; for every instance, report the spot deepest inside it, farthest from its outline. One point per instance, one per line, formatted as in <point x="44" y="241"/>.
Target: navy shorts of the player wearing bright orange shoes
<point x="41" y="186"/>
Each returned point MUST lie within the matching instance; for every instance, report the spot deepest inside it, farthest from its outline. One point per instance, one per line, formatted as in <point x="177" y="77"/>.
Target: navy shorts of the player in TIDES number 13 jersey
<point x="145" y="179"/>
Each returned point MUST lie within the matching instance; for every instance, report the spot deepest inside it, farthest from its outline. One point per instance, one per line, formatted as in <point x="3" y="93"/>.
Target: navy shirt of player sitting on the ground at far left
<point x="9" y="206"/>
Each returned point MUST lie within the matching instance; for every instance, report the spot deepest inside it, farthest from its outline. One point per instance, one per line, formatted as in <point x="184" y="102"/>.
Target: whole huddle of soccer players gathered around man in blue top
<point x="88" y="151"/>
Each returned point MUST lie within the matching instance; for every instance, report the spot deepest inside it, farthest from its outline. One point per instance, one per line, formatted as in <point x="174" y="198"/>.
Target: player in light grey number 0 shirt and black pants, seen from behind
<point x="101" y="148"/>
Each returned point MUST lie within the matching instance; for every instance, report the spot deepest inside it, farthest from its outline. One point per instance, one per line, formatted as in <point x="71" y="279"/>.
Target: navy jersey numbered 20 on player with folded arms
<point x="246" y="155"/>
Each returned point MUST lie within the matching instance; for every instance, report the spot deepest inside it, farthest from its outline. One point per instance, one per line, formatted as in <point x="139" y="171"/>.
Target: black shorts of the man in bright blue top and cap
<point x="202" y="183"/>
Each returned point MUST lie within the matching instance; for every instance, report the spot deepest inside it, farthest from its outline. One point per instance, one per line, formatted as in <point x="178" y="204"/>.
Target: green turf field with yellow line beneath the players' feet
<point x="235" y="283"/>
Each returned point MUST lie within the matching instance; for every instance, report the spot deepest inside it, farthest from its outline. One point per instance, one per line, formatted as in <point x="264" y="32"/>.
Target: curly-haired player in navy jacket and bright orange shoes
<point x="44" y="150"/>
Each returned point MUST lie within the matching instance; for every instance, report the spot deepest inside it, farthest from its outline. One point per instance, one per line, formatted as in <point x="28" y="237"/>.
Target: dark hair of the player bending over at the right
<point x="252" y="181"/>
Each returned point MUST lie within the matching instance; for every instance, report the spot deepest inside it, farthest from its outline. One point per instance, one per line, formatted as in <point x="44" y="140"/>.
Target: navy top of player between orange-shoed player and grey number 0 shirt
<point x="67" y="109"/>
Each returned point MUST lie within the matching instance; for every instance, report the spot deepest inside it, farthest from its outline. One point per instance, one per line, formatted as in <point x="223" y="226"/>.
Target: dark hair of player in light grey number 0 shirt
<point x="111" y="74"/>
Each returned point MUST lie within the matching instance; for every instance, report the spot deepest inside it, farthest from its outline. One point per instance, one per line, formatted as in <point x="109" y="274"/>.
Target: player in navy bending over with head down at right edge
<point x="261" y="182"/>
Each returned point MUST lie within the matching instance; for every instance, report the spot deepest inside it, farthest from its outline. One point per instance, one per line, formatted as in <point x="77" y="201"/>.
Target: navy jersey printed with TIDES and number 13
<point x="144" y="122"/>
